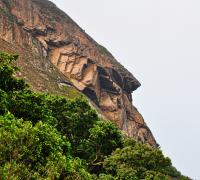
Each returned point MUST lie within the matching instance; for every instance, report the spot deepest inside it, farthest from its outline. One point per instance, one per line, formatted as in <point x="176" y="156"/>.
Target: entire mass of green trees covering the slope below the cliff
<point x="50" y="137"/>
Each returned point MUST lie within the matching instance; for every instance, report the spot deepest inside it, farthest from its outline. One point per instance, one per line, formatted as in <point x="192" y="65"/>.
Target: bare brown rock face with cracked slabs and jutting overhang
<point x="54" y="37"/>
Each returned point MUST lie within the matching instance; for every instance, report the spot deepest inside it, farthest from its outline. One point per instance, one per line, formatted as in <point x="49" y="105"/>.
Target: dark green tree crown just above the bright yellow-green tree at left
<point x="31" y="106"/>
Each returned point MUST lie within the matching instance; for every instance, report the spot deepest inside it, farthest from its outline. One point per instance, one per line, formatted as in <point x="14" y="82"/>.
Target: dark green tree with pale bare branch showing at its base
<point x="104" y="138"/>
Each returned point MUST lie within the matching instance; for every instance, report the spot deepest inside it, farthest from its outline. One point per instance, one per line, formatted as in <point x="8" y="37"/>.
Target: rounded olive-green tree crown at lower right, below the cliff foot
<point x="139" y="160"/>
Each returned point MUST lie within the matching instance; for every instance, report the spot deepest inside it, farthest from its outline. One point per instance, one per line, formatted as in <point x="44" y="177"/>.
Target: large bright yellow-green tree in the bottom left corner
<point x="39" y="149"/>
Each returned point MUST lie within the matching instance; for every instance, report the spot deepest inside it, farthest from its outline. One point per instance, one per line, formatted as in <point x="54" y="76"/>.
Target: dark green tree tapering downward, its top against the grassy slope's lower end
<point x="75" y="117"/>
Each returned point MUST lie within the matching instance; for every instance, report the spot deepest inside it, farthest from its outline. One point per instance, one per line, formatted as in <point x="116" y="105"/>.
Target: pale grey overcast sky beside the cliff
<point x="159" y="42"/>
